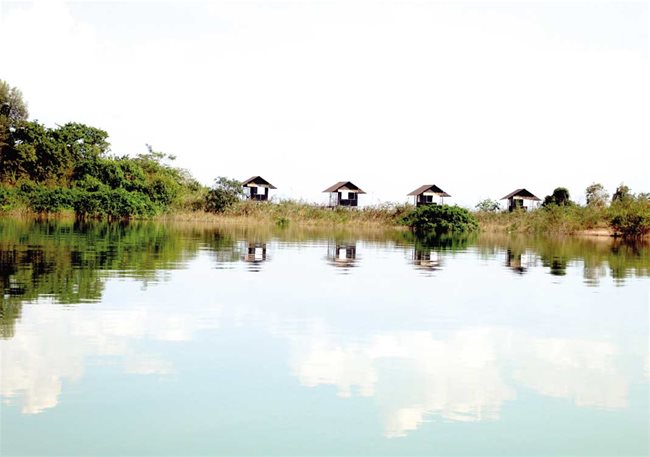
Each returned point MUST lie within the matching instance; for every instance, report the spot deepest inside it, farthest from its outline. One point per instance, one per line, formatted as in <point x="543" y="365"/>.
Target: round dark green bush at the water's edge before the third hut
<point x="440" y="219"/>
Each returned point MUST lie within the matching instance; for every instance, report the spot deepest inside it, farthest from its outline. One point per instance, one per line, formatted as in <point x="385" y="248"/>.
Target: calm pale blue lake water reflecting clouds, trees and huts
<point x="146" y="339"/>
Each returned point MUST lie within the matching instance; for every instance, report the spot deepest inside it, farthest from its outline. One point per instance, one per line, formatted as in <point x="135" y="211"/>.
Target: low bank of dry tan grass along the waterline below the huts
<point x="555" y="221"/>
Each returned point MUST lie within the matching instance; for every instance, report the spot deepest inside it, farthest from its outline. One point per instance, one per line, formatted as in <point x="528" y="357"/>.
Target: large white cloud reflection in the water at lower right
<point x="466" y="376"/>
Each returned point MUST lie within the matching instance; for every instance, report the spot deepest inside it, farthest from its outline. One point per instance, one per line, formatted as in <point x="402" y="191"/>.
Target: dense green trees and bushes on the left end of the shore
<point x="69" y="168"/>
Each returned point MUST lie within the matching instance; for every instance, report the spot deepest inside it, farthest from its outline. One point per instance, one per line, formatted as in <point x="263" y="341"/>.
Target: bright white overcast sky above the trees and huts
<point x="479" y="98"/>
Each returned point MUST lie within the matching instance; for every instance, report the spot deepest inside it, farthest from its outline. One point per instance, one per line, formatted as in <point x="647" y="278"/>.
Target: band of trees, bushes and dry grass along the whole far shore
<point x="70" y="170"/>
